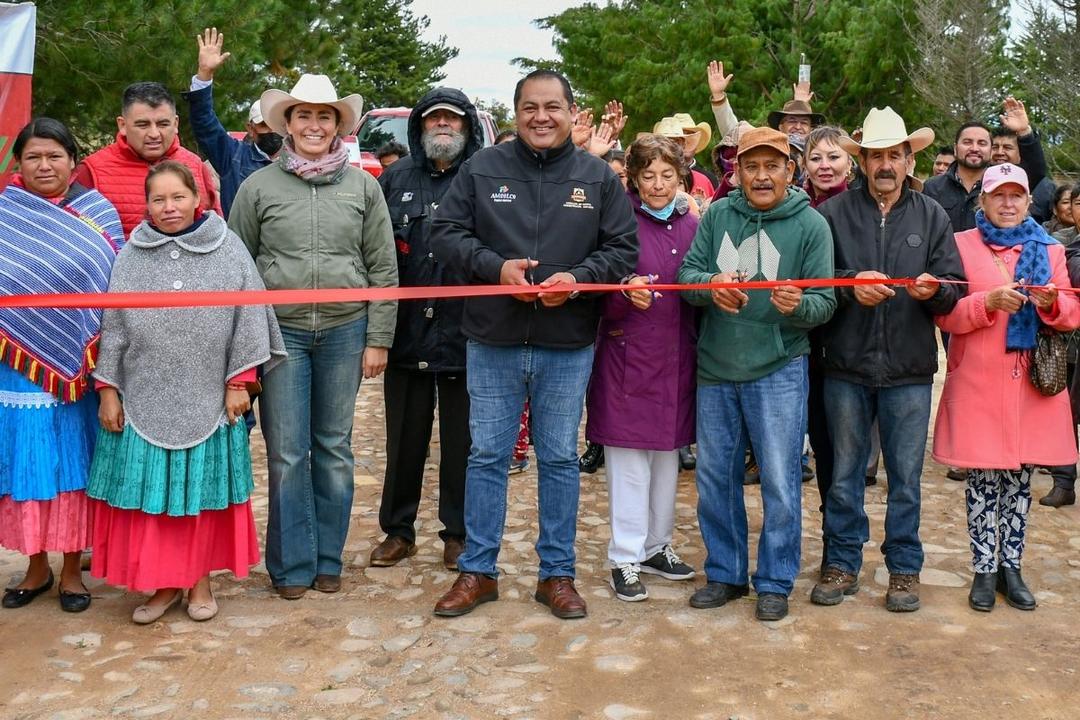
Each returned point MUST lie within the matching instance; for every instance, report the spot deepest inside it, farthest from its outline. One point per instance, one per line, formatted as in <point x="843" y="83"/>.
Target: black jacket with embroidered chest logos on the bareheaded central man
<point x="563" y="208"/>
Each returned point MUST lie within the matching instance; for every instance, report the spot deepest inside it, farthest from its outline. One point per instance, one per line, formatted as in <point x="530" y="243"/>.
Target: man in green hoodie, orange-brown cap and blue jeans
<point x="752" y="369"/>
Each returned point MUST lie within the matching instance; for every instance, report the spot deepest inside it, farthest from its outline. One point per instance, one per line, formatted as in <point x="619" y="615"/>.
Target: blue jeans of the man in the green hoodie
<point x="771" y="414"/>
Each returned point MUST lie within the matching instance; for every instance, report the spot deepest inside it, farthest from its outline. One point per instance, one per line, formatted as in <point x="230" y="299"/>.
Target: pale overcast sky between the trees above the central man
<point x="490" y="34"/>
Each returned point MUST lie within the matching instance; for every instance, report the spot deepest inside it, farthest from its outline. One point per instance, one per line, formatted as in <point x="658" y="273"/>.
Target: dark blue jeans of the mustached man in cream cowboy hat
<point x="903" y="416"/>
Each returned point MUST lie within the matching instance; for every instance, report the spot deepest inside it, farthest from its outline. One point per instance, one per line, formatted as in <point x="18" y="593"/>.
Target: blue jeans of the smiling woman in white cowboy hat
<point x="307" y="409"/>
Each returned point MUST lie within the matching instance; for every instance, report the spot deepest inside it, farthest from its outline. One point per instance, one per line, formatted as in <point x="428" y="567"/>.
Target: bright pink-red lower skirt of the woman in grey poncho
<point x="146" y="553"/>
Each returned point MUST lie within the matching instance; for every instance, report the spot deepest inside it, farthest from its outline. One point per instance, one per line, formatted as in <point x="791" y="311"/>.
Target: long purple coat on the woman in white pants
<point x="642" y="391"/>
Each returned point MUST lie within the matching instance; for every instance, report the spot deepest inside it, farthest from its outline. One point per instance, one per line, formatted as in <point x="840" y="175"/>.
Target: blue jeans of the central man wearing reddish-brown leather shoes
<point x="499" y="382"/>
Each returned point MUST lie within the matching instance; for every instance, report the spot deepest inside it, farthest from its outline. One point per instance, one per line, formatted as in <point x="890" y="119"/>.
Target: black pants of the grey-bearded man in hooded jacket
<point x="411" y="411"/>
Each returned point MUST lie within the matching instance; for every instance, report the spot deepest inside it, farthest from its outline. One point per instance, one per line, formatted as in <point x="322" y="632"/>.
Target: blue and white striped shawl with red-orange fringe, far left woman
<point x="55" y="249"/>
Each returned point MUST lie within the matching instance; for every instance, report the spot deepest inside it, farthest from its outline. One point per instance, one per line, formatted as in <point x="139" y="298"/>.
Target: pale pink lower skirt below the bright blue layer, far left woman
<point x="61" y="525"/>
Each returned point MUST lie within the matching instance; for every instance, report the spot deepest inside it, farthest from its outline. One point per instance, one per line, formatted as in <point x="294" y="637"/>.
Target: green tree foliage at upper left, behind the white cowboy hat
<point x="88" y="51"/>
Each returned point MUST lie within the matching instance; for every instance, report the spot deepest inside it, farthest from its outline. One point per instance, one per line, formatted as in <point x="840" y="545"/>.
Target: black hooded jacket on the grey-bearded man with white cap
<point x="429" y="332"/>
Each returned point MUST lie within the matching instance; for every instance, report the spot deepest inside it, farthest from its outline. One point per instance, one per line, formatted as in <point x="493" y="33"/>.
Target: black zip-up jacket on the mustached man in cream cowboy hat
<point x="893" y="344"/>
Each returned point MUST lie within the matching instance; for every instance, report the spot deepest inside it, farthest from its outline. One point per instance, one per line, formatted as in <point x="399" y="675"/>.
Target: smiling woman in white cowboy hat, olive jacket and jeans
<point x="312" y="221"/>
